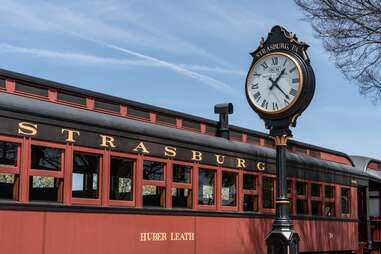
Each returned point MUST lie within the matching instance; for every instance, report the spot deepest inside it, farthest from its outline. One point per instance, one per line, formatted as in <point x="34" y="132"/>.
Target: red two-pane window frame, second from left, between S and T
<point x="56" y="175"/>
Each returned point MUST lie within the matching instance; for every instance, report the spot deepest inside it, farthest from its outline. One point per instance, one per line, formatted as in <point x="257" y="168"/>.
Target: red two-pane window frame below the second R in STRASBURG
<point x="250" y="192"/>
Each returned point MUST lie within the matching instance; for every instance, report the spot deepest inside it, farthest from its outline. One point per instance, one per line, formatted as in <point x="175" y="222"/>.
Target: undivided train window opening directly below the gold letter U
<point x="229" y="189"/>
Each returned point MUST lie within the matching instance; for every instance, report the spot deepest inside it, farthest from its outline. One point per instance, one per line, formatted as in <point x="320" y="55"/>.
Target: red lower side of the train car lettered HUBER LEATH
<point x="92" y="233"/>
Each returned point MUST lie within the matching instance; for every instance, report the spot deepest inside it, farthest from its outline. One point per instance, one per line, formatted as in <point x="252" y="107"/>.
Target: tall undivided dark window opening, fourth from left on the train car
<point x="121" y="178"/>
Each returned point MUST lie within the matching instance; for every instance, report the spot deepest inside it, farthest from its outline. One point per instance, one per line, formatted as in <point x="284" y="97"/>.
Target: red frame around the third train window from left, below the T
<point x="101" y="155"/>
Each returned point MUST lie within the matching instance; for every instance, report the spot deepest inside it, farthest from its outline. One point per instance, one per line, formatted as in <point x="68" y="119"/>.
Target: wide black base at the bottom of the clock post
<point x="282" y="242"/>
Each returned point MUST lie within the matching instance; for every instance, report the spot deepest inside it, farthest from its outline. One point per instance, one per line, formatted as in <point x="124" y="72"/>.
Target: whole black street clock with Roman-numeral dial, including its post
<point x="292" y="83"/>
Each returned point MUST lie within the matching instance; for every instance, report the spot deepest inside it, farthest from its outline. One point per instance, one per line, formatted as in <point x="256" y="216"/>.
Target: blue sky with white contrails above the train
<point x="182" y="55"/>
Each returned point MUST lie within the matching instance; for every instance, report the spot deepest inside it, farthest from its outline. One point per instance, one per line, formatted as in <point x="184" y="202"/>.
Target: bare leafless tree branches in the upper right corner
<point x="351" y="33"/>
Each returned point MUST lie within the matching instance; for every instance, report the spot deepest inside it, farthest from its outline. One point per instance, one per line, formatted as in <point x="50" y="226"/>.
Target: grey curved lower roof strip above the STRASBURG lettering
<point x="47" y="110"/>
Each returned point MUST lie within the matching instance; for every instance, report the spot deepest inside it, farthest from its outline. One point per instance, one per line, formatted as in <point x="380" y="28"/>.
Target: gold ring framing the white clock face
<point x="300" y="85"/>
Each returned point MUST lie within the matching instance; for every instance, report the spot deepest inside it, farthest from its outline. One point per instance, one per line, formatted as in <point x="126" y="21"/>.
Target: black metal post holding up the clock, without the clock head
<point x="282" y="239"/>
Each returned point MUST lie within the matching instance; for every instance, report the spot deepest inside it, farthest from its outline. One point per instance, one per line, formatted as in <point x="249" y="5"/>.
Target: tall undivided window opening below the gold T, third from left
<point x="85" y="175"/>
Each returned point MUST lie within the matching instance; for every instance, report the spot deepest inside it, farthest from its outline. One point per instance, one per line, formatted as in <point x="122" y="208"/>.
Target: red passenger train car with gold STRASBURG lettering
<point x="83" y="172"/>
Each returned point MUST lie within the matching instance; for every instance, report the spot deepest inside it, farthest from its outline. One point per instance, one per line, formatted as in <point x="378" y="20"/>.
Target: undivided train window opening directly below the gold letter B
<point x="206" y="184"/>
